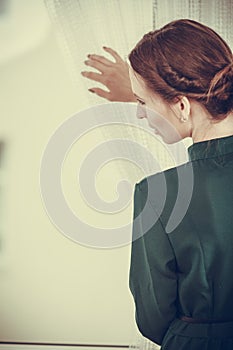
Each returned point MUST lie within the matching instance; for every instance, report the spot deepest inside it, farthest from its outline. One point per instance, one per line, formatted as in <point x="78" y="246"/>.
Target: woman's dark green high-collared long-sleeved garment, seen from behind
<point x="182" y="250"/>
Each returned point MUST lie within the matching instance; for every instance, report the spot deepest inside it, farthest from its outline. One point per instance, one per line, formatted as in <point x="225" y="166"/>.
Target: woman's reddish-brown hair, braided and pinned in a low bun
<point x="187" y="58"/>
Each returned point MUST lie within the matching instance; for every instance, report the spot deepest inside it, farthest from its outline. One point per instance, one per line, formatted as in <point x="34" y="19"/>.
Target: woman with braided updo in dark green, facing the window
<point x="181" y="280"/>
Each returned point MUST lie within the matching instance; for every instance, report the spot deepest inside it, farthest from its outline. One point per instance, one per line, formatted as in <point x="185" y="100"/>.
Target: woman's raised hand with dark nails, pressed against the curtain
<point x="113" y="75"/>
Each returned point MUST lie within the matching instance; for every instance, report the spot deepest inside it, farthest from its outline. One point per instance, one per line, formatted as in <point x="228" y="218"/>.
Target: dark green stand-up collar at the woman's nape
<point x="211" y="148"/>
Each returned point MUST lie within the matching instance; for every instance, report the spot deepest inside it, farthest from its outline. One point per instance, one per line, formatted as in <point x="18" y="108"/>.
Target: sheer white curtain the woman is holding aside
<point x="84" y="26"/>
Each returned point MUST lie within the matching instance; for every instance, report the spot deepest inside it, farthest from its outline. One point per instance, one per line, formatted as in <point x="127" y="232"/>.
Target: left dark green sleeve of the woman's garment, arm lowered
<point x="152" y="275"/>
